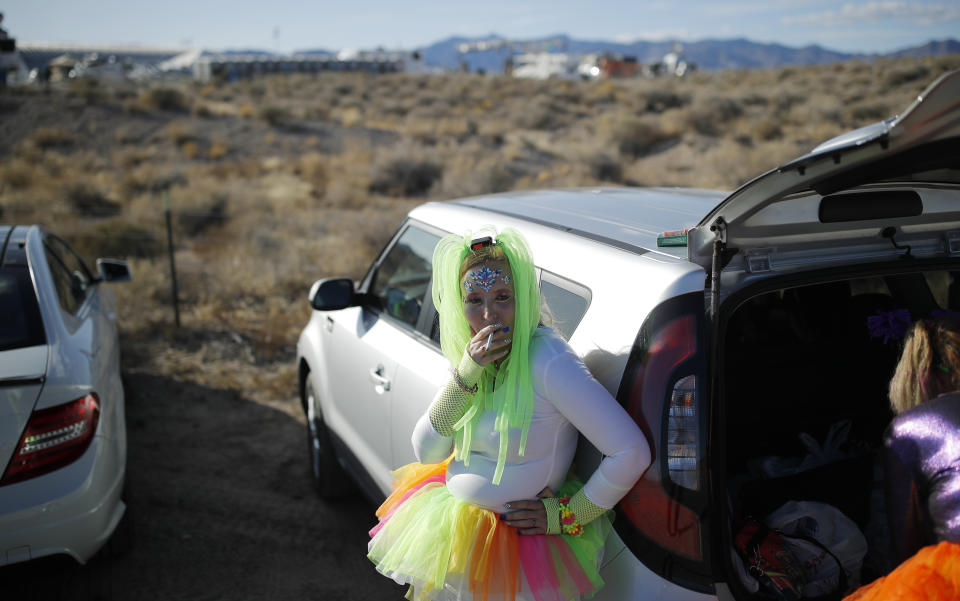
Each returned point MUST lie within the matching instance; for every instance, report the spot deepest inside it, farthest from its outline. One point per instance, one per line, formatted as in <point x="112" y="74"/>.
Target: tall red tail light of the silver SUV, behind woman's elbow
<point x="662" y="516"/>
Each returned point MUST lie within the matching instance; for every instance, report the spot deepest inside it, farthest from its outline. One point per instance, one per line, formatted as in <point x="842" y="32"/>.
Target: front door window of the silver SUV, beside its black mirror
<point x="403" y="277"/>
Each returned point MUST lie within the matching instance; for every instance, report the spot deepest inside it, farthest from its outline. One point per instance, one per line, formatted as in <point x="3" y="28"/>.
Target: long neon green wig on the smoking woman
<point x="509" y="389"/>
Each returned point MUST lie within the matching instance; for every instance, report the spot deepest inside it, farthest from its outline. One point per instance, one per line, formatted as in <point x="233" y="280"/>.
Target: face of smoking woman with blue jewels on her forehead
<point x="488" y="295"/>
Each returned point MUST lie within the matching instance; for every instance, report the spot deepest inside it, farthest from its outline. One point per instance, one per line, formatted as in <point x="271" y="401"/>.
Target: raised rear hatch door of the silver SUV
<point x="889" y="189"/>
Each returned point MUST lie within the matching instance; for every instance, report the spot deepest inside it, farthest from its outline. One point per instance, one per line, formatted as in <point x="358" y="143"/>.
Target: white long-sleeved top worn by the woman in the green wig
<point x="567" y="399"/>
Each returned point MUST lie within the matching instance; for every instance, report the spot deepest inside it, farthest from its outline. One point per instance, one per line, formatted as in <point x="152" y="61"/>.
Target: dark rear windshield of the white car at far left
<point x="20" y="324"/>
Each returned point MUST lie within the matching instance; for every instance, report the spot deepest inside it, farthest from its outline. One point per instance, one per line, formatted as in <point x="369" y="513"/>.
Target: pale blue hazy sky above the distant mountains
<point x="289" y="25"/>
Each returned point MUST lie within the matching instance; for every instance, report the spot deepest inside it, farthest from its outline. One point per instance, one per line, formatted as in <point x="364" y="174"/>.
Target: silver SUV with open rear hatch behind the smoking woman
<point x="732" y="327"/>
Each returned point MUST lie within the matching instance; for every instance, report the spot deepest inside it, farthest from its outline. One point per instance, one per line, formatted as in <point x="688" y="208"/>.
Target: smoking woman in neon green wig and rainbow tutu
<point x="492" y="512"/>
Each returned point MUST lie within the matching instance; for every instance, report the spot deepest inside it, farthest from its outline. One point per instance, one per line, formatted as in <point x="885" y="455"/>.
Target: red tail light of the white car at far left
<point x="53" y="438"/>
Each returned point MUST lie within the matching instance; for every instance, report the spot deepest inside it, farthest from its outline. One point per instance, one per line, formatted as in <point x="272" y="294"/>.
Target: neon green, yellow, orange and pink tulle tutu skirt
<point x="447" y="549"/>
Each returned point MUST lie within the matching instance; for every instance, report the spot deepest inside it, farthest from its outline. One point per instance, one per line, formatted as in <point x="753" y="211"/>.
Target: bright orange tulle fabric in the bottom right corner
<point x="933" y="574"/>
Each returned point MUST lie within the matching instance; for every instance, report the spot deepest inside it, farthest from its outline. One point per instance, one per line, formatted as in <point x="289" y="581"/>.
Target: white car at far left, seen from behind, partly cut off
<point x="63" y="437"/>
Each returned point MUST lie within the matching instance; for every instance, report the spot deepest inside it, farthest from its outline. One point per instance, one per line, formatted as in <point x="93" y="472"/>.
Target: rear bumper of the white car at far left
<point x="71" y="511"/>
